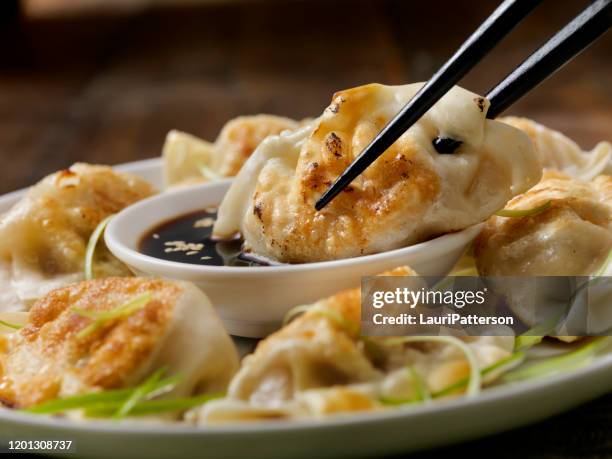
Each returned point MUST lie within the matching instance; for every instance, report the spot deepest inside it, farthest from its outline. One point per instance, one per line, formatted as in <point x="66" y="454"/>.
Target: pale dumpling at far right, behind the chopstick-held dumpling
<point x="560" y="153"/>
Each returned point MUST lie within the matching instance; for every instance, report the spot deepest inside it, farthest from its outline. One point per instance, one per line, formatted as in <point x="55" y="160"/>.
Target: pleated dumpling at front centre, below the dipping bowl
<point x="318" y="366"/>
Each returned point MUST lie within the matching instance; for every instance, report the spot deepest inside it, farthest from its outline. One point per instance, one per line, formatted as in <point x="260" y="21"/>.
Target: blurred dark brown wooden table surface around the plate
<point x="106" y="89"/>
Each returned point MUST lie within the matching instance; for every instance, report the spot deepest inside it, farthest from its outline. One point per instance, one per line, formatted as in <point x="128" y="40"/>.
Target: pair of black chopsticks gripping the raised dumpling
<point x="566" y="44"/>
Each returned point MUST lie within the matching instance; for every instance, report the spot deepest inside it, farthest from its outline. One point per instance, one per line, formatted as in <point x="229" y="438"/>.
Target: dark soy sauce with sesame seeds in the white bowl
<point x="187" y="239"/>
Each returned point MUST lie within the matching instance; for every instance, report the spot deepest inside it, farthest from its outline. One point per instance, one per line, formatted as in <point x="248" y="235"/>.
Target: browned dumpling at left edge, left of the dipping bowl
<point x="44" y="236"/>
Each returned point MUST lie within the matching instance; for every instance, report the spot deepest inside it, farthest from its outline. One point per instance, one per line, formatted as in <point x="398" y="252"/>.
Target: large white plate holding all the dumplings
<point x="399" y="431"/>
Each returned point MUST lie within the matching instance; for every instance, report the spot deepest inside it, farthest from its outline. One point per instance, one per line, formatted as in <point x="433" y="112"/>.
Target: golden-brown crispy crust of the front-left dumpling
<point x="47" y="356"/>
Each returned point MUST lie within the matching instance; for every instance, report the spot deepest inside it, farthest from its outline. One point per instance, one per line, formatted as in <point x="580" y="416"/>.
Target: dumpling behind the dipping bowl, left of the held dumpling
<point x="189" y="160"/>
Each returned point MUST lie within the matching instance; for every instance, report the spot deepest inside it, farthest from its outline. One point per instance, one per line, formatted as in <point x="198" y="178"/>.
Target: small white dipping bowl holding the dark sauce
<point x="252" y="301"/>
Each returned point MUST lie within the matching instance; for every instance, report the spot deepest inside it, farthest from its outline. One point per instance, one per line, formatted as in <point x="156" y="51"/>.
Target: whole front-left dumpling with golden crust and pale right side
<point x="175" y="328"/>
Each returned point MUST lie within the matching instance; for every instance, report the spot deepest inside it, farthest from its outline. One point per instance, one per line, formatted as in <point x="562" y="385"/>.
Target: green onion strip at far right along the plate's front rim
<point x="565" y="362"/>
